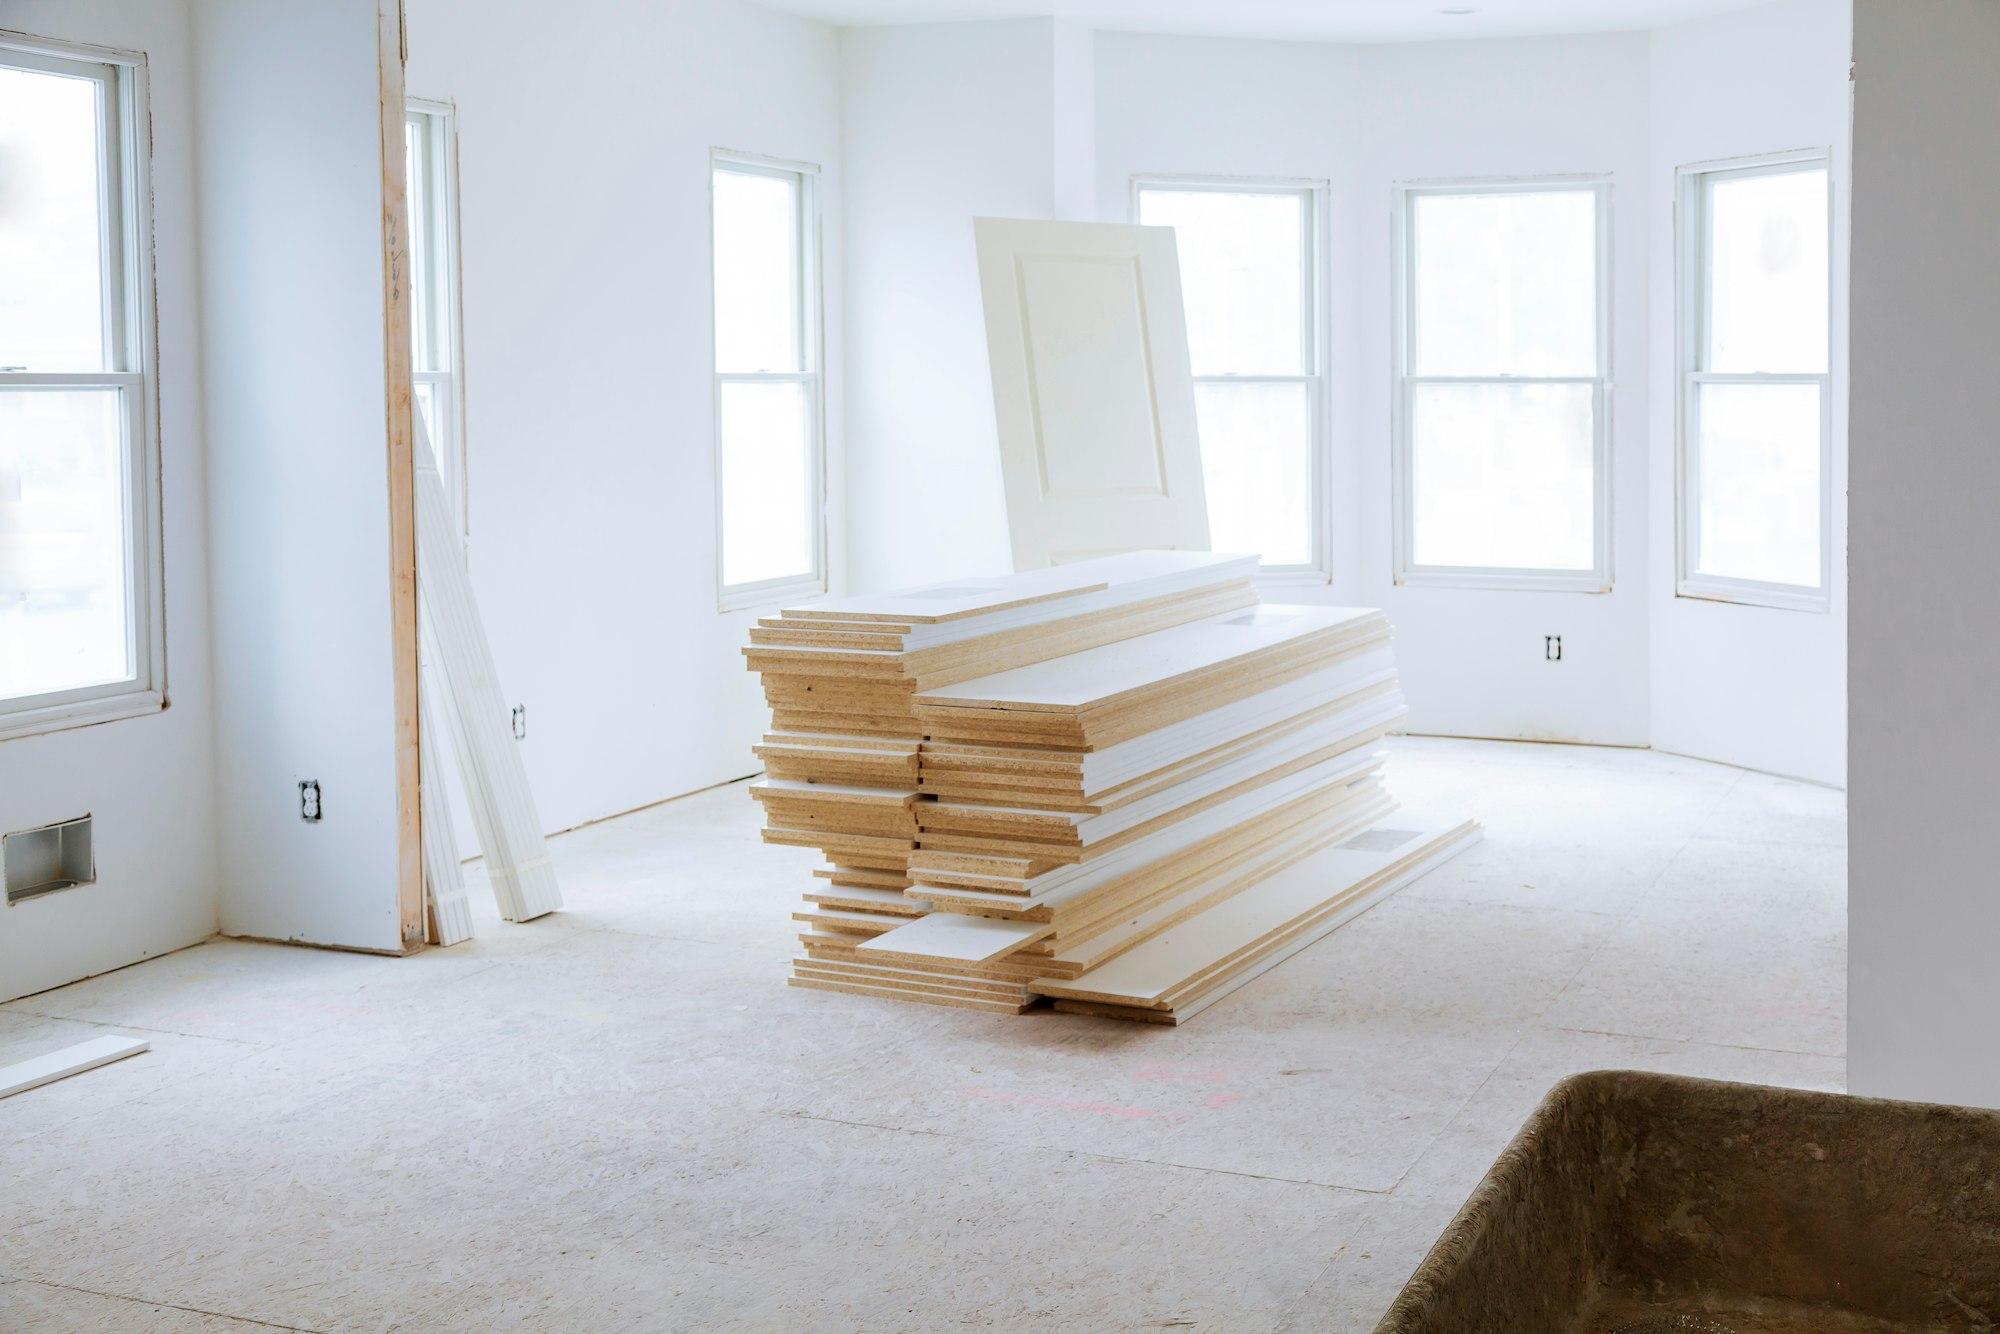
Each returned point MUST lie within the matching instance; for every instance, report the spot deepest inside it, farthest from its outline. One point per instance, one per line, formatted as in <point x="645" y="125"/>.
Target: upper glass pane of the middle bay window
<point x="1507" y="285"/>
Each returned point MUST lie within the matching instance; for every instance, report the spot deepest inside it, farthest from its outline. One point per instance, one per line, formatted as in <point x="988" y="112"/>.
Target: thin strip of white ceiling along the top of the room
<point x="1319" y="21"/>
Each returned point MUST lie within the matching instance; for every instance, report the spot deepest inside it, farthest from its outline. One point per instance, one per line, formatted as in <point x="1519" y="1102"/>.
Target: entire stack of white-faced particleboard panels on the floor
<point x="1121" y="785"/>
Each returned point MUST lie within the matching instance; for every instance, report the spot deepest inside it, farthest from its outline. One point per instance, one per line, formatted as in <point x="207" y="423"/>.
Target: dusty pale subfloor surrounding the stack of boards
<point x="625" y="1119"/>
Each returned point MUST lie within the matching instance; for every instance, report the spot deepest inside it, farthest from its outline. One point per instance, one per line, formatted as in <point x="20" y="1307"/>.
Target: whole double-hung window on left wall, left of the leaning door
<point x="769" y="417"/>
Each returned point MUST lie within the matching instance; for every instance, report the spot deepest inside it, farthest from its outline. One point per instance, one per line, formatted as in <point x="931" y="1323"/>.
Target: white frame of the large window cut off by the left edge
<point x="129" y="295"/>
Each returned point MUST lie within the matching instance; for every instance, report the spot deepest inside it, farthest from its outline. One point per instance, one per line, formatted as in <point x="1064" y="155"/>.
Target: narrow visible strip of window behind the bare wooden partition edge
<point x="431" y="177"/>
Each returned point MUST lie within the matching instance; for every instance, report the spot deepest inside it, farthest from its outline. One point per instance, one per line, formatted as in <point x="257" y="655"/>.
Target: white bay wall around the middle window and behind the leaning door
<point x="1365" y="119"/>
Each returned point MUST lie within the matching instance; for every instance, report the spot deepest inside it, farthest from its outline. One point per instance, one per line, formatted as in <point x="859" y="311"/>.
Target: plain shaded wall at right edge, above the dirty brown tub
<point x="1923" y="713"/>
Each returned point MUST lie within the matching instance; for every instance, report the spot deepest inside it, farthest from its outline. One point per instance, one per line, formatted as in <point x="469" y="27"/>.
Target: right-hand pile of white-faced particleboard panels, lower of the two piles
<point x="1079" y="807"/>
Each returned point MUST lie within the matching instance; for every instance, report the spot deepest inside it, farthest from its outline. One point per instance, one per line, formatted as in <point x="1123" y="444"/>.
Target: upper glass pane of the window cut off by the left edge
<point x="51" y="225"/>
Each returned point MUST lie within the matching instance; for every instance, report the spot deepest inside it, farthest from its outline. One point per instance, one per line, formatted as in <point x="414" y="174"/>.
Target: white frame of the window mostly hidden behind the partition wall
<point x="439" y="123"/>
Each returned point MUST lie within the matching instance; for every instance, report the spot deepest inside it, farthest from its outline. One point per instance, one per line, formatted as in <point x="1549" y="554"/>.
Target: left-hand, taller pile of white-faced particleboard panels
<point x="841" y="675"/>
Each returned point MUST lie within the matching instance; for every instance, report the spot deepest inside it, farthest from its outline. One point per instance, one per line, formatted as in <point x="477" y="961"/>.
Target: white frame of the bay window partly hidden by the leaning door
<point x="1313" y="335"/>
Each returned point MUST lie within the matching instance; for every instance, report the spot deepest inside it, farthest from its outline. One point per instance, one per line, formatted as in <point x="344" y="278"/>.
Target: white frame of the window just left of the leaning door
<point x="811" y="357"/>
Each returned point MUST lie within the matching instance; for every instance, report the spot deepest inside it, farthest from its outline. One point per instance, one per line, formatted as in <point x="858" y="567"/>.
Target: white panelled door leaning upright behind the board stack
<point x="1089" y="355"/>
